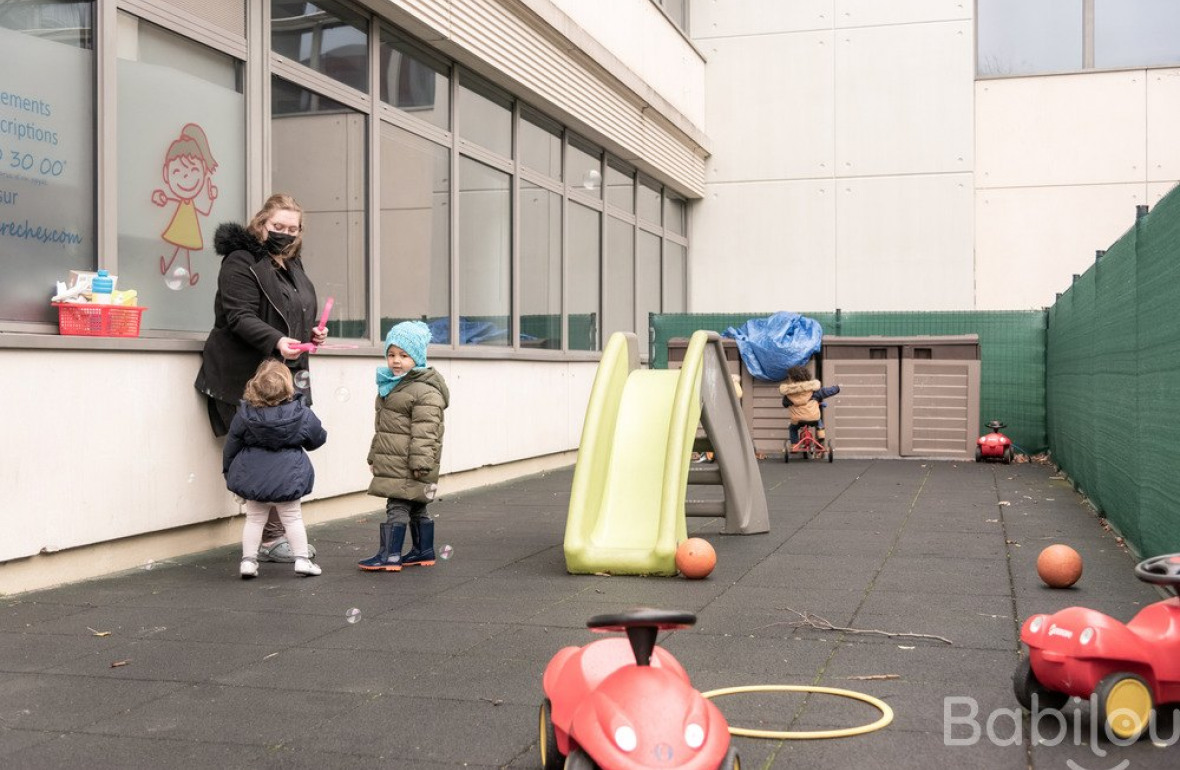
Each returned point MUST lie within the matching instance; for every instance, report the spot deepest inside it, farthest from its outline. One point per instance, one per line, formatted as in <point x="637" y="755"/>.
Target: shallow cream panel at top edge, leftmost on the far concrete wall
<point x="725" y="18"/>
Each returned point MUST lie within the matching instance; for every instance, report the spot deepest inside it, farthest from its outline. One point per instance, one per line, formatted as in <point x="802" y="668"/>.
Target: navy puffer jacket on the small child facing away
<point x="265" y="458"/>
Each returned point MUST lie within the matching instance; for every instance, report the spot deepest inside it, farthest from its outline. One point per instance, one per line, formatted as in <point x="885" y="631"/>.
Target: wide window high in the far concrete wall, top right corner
<point x="1017" y="37"/>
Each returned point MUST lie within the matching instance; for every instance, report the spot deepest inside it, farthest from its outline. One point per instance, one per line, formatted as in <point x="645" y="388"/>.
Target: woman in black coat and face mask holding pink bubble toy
<point x="265" y="307"/>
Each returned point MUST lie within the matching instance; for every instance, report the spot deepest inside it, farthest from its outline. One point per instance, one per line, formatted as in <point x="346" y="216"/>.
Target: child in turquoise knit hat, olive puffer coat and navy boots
<point x="408" y="447"/>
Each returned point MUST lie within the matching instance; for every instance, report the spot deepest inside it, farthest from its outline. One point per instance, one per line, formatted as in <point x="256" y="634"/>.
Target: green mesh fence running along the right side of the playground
<point x="1113" y="381"/>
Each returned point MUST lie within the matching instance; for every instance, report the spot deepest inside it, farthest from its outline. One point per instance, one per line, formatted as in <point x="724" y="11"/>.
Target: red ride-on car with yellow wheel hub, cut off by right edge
<point x="1130" y="669"/>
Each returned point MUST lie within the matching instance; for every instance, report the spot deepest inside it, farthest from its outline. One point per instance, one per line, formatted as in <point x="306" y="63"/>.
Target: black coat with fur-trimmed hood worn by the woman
<point x="251" y="314"/>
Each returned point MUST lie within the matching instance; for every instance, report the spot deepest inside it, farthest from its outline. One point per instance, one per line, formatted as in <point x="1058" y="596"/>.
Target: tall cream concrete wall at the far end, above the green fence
<point x="857" y="160"/>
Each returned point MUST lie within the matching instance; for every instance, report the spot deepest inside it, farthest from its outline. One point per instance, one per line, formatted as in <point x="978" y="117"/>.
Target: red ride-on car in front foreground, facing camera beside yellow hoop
<point x="621" y="705"/>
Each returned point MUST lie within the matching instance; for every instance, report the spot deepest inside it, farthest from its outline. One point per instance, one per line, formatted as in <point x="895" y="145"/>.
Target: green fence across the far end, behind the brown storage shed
<point x="1012" y="351"/>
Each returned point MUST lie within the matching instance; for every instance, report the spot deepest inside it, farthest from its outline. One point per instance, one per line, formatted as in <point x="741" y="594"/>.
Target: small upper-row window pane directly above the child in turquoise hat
<point x="415" y="82"/>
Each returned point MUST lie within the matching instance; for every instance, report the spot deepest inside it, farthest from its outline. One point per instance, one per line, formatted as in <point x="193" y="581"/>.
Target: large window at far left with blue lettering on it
<point x="48" y="221"/>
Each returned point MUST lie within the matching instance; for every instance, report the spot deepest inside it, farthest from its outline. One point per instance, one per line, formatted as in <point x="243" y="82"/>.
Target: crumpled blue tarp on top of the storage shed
<point x="771" y="346"/>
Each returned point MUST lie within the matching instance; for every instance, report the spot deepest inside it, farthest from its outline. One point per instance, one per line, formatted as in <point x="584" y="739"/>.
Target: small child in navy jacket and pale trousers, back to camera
<point x="266" y="462"/>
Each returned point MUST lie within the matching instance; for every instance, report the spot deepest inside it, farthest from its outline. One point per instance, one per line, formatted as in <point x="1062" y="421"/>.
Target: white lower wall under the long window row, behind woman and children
<point x="139" y="457"/>
